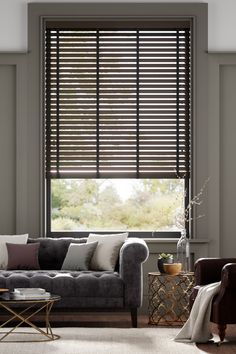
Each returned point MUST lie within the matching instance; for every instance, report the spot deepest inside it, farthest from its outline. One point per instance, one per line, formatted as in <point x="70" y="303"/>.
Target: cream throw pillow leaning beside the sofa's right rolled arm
<point x="107" y="251"/>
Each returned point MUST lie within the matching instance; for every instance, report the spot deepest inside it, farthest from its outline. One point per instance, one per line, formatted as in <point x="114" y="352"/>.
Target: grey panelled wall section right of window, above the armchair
<point x="221" y="151"/>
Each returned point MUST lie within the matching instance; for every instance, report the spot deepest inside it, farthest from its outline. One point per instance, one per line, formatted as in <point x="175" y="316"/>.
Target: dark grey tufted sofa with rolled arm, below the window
<point x="80" y="290"/>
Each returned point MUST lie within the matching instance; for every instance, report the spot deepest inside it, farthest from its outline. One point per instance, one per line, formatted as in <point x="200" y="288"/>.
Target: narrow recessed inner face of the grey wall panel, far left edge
<point x="7" y="148"/>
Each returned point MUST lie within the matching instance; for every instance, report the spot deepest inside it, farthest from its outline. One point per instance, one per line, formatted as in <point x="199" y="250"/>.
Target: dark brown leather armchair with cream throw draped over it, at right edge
<point x="211" y="270"/>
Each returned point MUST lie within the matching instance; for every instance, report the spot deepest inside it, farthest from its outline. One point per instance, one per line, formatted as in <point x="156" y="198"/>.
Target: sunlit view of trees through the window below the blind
<point x="116" y="204"/>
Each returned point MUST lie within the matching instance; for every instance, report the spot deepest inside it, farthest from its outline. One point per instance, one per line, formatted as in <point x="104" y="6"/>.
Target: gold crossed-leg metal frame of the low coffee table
<point x="33" y="307"/>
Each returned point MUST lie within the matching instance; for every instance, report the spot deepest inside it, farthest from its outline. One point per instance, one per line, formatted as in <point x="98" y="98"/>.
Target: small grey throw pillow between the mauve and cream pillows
<point x="79" y="256"/>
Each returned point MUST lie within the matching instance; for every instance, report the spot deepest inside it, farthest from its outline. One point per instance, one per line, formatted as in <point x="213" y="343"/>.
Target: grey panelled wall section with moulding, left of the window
<point x="13" y="144"/>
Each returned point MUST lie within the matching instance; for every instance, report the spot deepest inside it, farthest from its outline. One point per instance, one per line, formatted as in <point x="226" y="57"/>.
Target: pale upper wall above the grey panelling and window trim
<point x="222" y="24"/>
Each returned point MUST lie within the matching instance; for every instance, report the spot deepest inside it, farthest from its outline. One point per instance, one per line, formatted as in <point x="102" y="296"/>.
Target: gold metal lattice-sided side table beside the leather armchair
<point x="169" y="297"/>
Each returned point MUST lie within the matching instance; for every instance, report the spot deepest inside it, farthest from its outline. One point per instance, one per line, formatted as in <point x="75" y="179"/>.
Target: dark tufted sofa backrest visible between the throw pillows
<point x="52" y="251"/>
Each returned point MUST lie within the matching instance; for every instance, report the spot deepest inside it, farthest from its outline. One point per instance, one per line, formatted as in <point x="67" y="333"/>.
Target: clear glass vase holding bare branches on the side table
<point x="183" y="252"/>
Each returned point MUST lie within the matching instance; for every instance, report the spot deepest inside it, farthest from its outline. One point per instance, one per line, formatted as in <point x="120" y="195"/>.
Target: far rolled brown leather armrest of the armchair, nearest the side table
<point x="208" y="270"/>
